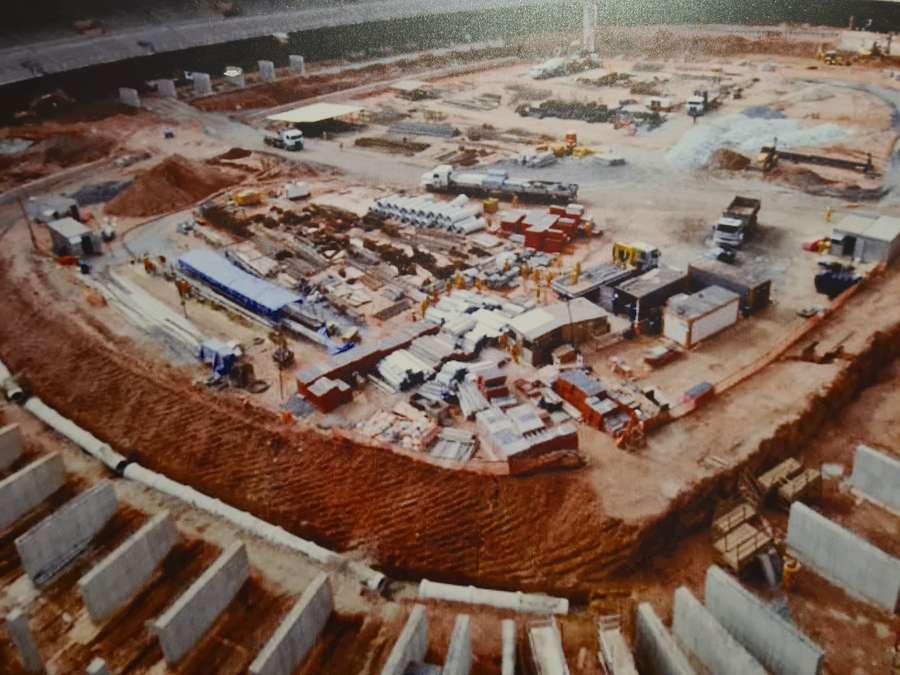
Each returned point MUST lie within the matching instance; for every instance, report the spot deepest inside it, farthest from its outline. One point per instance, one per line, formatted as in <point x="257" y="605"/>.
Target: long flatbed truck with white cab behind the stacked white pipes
<point x="497" y="183"/>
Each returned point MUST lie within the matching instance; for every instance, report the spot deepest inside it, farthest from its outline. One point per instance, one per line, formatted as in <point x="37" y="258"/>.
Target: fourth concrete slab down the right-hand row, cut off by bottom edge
<point x="698" y="632"/>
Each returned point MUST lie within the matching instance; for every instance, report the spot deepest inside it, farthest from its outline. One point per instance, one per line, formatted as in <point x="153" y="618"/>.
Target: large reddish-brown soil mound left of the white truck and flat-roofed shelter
<point x="174" y="183"/>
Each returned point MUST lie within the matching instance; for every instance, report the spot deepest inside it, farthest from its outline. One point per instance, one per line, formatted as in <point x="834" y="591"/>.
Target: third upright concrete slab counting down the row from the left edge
<point x="51" y="544"/>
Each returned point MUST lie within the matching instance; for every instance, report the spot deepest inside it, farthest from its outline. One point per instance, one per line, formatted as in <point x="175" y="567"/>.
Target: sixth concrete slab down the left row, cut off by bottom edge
<point x="297" y="634"/>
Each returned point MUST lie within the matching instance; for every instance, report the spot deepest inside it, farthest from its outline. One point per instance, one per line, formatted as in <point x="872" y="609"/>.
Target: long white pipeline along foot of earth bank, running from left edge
<point x="101" y="451"/>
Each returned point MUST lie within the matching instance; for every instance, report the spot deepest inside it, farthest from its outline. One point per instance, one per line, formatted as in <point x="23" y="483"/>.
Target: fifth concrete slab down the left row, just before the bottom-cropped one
<point x="186" y="621"/>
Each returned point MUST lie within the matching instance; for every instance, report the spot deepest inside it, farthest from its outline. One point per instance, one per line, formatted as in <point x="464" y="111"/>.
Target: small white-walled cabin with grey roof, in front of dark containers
<point x="688" y="319"/>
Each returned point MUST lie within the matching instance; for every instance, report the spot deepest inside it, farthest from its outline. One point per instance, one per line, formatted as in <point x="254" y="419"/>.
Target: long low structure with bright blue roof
<point x="257" y="295"/>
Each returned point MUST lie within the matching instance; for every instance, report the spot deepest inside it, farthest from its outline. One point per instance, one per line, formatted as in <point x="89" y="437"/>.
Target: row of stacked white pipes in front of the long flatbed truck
<point x="460" y="215"/>
